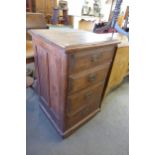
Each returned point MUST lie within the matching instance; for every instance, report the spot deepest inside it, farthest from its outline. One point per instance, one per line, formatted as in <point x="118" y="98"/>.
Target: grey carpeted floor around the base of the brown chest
<point x="106" y="134"/>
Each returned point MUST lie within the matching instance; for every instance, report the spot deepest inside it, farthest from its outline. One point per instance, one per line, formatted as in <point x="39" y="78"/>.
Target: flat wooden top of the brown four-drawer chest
<point x="70" y="38"/>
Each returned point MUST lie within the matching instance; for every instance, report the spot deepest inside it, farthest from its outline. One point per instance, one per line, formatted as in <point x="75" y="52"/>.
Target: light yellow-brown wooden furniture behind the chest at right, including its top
<point x="120" y="68"/>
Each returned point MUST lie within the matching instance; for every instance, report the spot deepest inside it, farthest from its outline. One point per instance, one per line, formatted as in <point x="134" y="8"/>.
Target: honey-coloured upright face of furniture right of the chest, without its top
<point x="119" y="69"/>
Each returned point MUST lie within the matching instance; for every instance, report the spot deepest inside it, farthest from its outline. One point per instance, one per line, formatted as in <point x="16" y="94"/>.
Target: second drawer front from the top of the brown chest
<point x="85" y="79"/>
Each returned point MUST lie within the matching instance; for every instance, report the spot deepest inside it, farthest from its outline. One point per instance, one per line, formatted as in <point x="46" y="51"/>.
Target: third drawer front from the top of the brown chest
<point x="92" y="95"/>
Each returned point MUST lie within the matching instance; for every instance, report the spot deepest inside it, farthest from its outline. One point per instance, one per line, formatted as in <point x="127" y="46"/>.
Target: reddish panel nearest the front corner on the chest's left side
<point x="56" y="73"/>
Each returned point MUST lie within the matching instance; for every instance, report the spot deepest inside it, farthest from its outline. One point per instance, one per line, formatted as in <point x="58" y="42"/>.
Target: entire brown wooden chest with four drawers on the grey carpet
<point x="72" y="69"/>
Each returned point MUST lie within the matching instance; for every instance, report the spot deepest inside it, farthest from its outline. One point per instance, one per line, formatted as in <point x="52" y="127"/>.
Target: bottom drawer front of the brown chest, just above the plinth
<point x="73" y="119"/>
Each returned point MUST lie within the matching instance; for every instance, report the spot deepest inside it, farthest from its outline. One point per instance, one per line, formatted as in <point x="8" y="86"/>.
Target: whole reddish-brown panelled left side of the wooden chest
<point x="51" y="67"/>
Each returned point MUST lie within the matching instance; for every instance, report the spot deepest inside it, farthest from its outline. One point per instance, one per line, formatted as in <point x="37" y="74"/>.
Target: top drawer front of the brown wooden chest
<point x="88" y="58"/>
